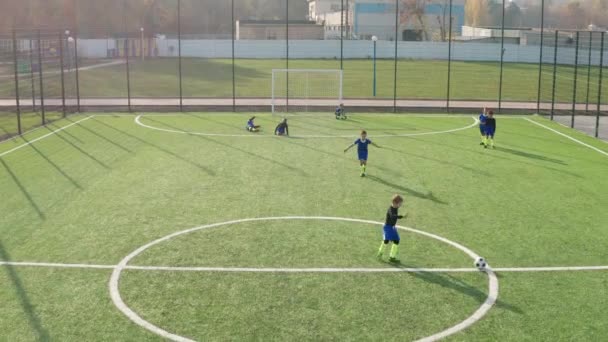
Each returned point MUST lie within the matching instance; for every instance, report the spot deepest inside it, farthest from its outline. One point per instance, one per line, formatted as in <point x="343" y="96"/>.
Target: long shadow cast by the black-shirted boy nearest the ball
<point x="452" y="283"/>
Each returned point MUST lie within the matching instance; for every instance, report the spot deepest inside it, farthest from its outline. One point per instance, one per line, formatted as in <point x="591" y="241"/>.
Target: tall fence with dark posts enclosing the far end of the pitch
<point x="396" y="56"/>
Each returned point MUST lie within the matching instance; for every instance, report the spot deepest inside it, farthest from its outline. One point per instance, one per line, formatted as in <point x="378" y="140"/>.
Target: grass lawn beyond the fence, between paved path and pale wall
<point x="416" y="79"/>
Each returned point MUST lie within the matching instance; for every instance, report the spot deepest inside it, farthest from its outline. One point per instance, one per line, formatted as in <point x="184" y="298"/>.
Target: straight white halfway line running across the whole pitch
<point x="306" y="270"/>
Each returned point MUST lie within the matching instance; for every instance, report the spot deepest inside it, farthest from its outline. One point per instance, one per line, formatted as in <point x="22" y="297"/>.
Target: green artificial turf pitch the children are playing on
<point x="97" y="238"/>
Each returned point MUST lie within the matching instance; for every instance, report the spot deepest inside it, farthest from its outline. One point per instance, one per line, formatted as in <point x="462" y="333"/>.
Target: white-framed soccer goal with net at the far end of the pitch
<point x="301" y="90"/>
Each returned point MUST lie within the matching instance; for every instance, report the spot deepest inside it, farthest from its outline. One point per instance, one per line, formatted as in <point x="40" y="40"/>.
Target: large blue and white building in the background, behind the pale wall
<point x="363" y="19"/>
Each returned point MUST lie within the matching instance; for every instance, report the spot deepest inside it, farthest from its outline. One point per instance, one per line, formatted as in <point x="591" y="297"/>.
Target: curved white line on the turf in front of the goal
<point x="254" y="135"/>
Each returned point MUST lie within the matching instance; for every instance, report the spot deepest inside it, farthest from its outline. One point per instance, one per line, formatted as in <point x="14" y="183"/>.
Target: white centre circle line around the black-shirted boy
<point x="133" y="316"/>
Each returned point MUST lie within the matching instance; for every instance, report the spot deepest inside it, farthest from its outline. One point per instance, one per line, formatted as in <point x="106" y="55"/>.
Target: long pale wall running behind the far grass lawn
<point x="352" y="49"/>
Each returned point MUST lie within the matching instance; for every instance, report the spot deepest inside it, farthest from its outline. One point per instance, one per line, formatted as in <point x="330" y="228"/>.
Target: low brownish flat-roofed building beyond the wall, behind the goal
<point x="275" y="29"/>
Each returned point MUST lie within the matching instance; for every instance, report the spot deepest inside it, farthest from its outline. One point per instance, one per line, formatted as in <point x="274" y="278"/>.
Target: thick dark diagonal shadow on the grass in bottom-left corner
<point x="24" y="300"/>
